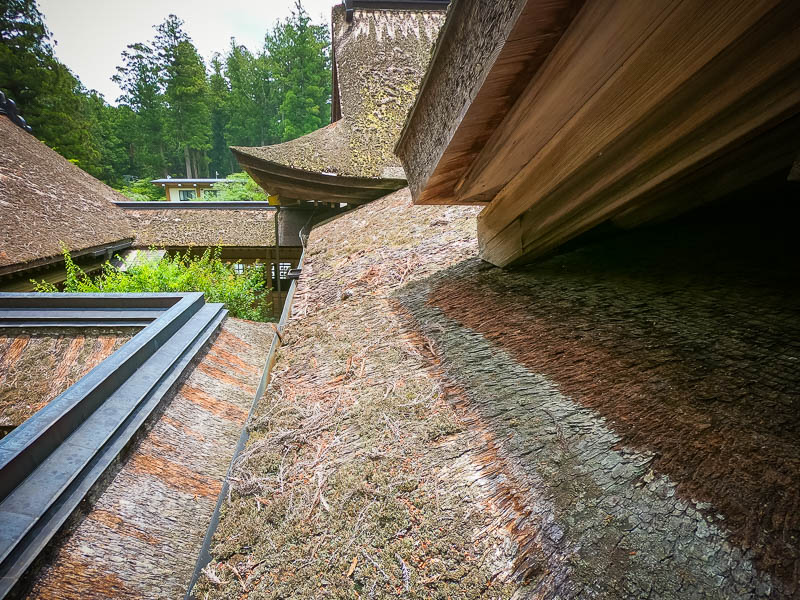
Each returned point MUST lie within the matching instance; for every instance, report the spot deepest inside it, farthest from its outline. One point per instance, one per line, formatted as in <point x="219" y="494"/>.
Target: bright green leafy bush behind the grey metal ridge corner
<point x="243" y="295"/>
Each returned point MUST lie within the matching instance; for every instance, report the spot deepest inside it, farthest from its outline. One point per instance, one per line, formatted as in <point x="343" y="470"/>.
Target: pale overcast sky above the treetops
<point x="91" y="34"/>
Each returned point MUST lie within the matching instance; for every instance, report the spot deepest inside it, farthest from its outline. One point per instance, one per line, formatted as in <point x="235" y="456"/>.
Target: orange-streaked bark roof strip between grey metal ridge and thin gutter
<point x="156" y="510"/>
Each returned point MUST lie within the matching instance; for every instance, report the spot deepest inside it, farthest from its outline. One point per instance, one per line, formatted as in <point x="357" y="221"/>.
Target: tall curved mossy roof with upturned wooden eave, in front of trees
<point x="379" y="59"/>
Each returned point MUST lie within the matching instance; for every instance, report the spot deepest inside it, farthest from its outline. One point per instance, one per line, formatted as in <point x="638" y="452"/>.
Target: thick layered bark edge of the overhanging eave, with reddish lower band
<point x="524" y="33"/>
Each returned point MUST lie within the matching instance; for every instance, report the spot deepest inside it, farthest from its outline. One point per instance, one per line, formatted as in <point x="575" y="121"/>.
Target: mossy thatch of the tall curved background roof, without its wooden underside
<point x="379" y="60"/>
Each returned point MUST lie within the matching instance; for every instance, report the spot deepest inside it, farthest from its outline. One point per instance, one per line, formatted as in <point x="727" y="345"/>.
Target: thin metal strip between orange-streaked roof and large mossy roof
<point x="205" y="551"/>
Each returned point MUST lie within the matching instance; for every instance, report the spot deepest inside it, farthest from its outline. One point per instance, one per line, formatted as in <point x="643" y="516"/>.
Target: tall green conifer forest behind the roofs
<point x="176" y="116"/>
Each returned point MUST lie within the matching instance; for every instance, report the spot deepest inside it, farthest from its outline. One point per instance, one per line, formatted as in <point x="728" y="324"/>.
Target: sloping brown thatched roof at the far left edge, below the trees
<point x="45" y="201"/>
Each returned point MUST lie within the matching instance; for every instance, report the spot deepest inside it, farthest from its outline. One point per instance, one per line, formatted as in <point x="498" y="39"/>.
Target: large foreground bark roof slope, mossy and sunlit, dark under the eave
<point x="616" y="421"/>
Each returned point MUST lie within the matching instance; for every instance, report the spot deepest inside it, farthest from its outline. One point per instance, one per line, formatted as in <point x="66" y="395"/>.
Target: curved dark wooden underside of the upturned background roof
<point x="299" y="185"/>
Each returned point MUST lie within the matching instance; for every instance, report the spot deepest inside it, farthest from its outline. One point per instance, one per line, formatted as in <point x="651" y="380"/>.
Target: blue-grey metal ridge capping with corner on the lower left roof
<point x="49" y="463"/>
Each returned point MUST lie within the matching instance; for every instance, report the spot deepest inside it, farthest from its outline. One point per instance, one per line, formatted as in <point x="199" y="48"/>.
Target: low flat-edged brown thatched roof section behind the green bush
<point x="197" y="227"/>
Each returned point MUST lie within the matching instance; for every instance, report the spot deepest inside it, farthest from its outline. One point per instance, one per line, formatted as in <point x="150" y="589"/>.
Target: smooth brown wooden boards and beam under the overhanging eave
<point x="635" y="98"/>
